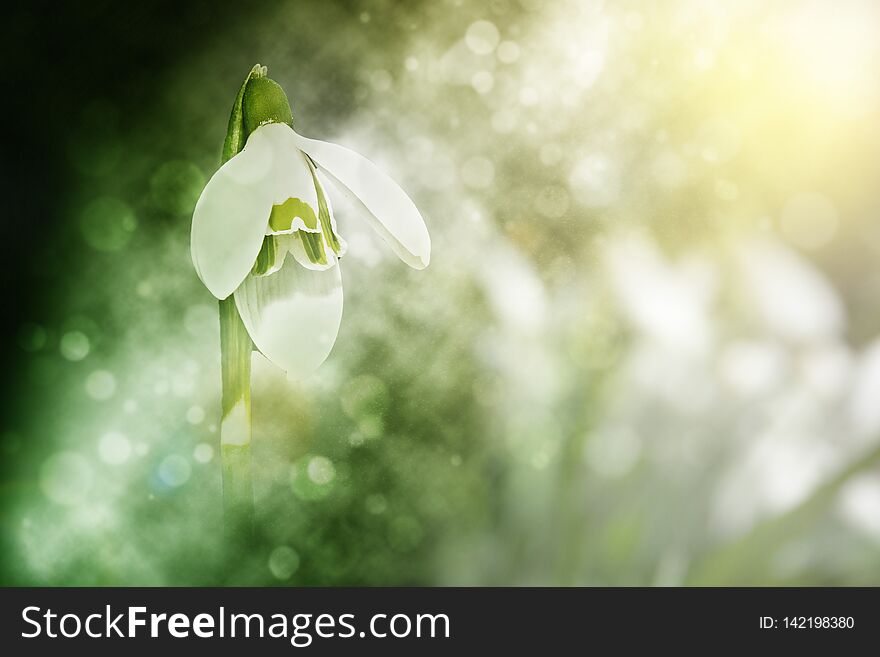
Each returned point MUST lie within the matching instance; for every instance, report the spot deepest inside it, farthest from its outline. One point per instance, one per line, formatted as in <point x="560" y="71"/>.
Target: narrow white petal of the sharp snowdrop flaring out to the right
<point x="390" y="211"/>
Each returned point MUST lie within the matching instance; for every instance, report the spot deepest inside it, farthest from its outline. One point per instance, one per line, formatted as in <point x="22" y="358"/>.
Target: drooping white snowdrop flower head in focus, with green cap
<point x="263" y="229"/>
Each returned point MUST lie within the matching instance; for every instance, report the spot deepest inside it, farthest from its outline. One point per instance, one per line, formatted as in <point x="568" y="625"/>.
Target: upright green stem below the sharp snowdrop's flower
<point x="235" y="424"/>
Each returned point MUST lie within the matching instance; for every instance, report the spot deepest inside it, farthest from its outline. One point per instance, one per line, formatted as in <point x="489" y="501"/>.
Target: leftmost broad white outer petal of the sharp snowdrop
<point x="232" y="213"/>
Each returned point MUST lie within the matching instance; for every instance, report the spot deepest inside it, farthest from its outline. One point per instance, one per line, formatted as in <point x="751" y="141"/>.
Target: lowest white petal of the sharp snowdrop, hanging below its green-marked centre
<point x="293" y="315"/>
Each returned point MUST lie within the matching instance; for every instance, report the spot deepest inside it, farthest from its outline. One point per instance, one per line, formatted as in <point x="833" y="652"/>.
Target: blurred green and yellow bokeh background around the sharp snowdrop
<point x="645" y="352"/>
